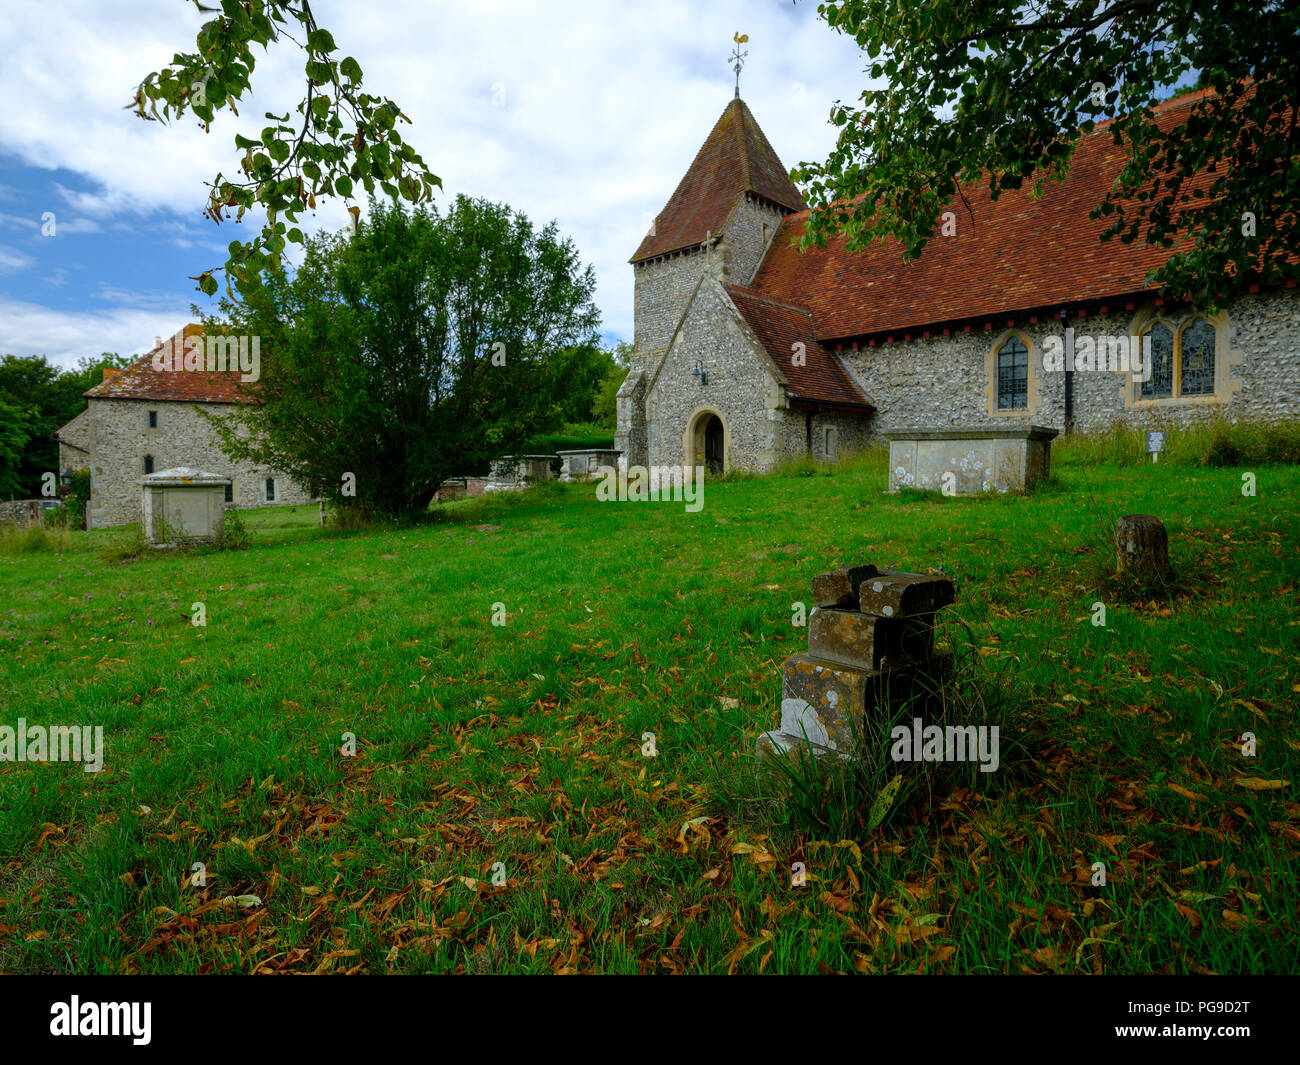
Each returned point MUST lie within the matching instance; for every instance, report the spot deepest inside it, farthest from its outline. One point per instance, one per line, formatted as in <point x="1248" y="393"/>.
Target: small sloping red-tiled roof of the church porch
<point x="779" y="327"/>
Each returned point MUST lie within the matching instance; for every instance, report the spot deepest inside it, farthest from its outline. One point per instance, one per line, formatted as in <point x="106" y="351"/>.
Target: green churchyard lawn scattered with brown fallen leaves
<point x="514" y="752"/>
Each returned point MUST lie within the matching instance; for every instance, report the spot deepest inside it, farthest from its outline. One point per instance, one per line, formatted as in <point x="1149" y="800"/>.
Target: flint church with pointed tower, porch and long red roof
<point x="749" y="353"/>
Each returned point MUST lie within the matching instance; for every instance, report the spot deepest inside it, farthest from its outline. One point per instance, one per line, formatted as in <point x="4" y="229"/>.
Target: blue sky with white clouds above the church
<point x="605" y="106"/>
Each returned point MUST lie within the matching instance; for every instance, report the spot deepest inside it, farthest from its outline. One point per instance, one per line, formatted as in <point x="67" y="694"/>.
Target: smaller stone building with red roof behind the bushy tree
<point x="144" y="419"/>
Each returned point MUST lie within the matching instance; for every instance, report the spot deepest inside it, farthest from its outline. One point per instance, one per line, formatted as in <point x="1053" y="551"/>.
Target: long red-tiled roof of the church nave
<point x="1016" y="254"/>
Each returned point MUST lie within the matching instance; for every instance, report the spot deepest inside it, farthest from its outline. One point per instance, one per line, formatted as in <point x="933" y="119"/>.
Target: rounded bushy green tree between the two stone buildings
<point x="418" y="349"/>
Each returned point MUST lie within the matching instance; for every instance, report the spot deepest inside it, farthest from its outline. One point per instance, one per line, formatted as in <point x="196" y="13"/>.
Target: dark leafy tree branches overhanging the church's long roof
<point x="1003" y="90"/>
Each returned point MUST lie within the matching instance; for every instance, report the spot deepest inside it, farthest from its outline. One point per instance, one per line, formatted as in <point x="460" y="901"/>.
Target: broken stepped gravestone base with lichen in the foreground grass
<point x="870" y="646"/>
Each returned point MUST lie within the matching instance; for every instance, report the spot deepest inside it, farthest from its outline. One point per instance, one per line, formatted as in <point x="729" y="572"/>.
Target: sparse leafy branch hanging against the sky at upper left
<point x="343" y="137"/>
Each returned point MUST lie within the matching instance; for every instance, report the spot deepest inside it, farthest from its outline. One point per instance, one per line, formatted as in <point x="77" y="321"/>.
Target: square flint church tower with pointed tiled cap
<point x="720" y="222"/>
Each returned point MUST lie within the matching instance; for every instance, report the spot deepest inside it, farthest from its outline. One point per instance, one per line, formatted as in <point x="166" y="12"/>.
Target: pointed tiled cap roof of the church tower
<point x="734" y="161"/>
